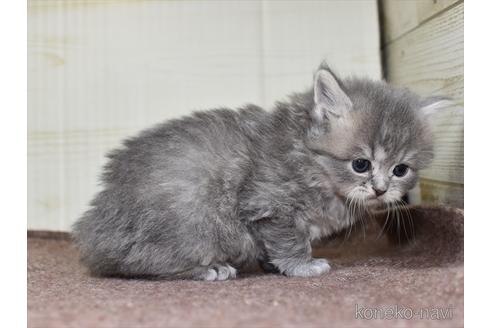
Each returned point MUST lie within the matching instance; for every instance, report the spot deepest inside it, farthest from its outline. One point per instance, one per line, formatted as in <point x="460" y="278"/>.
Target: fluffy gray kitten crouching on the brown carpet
<point x="202" y="196"/>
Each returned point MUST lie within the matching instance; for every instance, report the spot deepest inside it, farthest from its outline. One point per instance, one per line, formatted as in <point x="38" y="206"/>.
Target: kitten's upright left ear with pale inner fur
<point x="329" y="97"/>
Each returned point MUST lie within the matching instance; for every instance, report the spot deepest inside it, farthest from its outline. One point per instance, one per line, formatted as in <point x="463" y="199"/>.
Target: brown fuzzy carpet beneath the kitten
<point x="373" y="282"/>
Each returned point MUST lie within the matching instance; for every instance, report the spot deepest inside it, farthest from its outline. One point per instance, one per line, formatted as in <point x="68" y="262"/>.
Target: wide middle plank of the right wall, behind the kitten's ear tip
<point x="429" y="60"/>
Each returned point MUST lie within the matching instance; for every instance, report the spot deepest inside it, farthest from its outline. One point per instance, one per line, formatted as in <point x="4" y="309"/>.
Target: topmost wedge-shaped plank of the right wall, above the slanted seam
<point x="402" y="16"/>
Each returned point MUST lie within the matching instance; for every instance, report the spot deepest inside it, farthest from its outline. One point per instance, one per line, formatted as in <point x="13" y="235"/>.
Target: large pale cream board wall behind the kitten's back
<point x="99" y="71"/>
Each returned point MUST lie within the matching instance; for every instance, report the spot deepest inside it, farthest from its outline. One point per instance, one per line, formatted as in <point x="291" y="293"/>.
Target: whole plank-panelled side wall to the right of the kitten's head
<point x="423" y="49"/>
